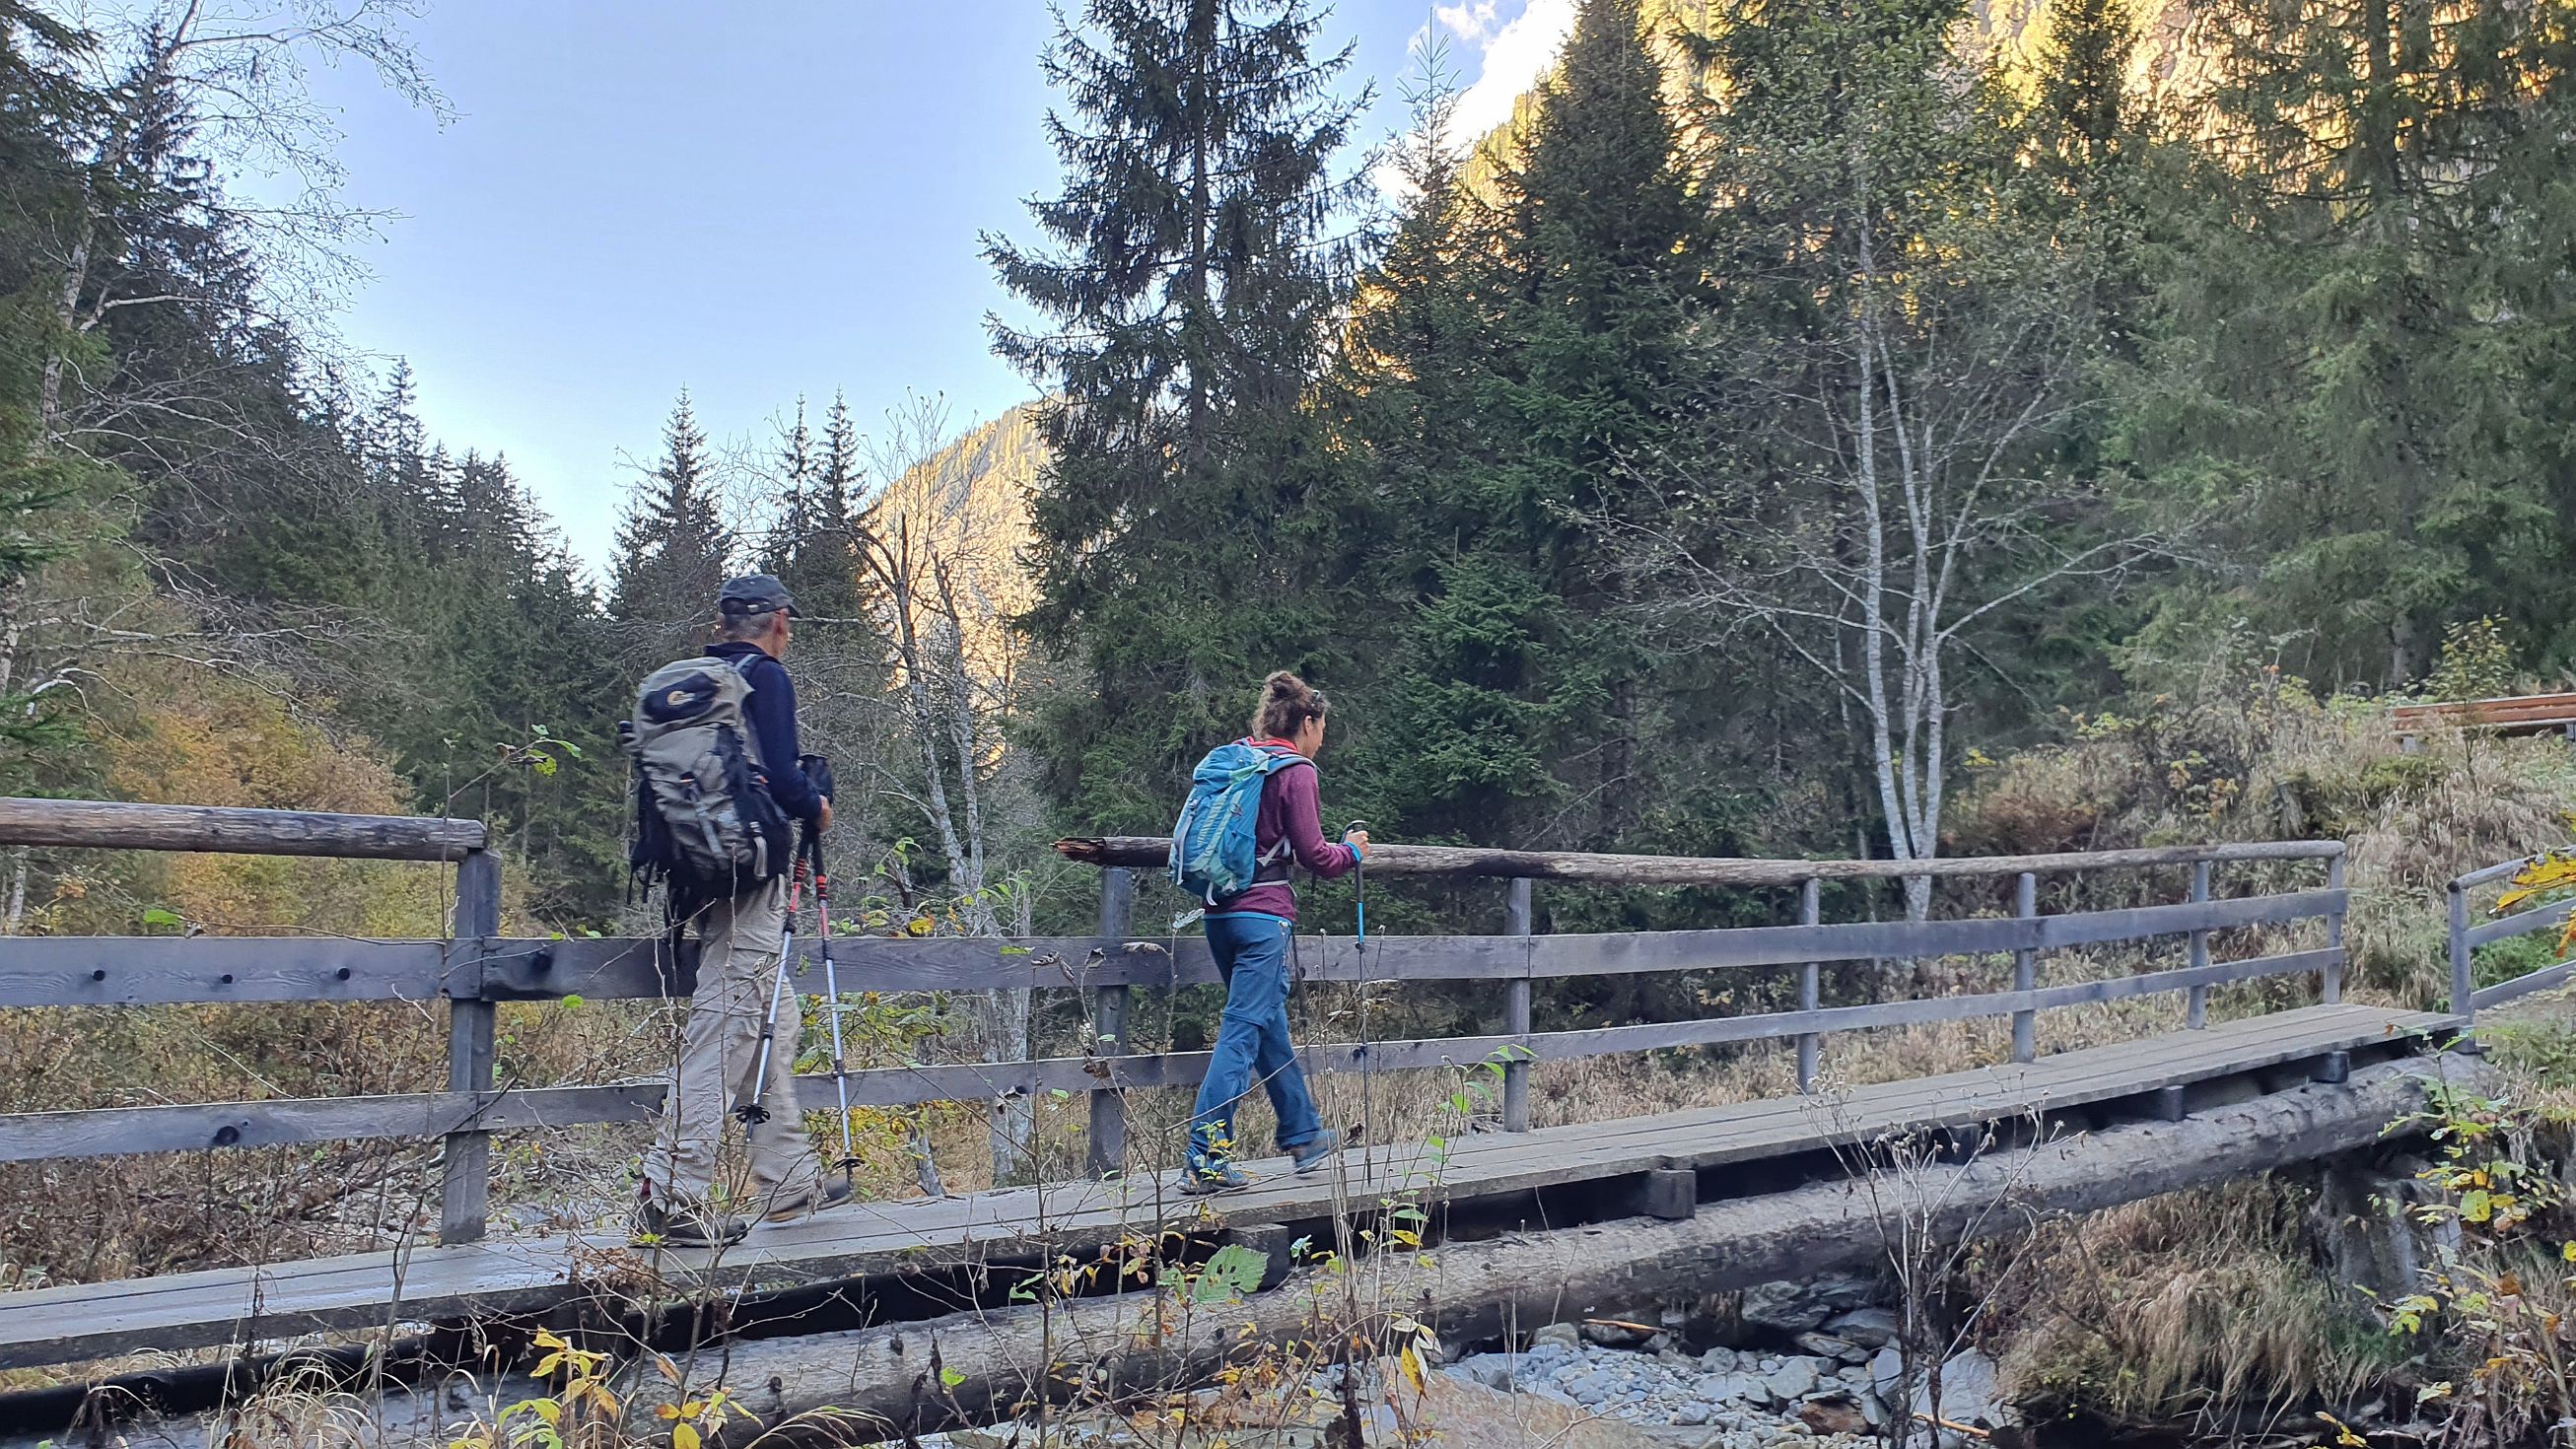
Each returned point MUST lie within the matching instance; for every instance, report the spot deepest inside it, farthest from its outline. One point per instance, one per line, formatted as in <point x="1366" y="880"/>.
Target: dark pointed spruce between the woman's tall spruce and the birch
<point x="1508" y="364"/>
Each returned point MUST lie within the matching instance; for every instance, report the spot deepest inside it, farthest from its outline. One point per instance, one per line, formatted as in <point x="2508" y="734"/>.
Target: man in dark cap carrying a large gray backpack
<point x="705" y="779"/>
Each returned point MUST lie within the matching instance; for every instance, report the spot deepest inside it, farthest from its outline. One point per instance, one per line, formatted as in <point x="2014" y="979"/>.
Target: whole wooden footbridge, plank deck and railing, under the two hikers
<point x="2263" y="920"/>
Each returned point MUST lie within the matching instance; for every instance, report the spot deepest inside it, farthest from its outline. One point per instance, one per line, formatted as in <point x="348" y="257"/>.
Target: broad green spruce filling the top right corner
<point x="2353" y="374"/>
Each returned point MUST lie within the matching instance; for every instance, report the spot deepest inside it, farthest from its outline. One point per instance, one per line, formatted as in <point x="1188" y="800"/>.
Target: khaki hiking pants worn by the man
<point x="738" y="966"/>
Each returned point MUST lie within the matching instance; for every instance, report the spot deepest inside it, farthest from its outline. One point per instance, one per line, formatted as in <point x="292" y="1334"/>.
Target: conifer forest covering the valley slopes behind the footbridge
<point x="1786" y="411"/>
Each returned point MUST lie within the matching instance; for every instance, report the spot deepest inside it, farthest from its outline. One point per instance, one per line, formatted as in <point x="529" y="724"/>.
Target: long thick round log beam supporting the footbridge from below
<point x="998" y="1360"/>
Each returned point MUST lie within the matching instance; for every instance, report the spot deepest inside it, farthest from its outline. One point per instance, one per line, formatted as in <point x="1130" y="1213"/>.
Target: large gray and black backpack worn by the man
<point x="705" y="815"/>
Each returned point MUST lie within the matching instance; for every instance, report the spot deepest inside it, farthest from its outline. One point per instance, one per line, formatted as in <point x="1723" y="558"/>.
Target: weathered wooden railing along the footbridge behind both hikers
<point x="478" y="969"/>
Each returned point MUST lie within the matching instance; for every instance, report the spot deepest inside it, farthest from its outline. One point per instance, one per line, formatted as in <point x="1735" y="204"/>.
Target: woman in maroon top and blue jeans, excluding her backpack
<point x="1251" y="943"/>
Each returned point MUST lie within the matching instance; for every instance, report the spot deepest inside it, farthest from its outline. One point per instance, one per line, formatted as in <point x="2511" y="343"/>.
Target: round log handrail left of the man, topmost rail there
<point x="117" y="825"/>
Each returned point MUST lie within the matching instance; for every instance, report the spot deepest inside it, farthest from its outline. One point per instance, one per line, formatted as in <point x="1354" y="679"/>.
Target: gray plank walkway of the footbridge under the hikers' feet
<point x="504" y="1275"/>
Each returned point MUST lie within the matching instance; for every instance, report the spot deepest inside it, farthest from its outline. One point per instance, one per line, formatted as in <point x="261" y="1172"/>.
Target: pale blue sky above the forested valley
<point x="753" y="202"/>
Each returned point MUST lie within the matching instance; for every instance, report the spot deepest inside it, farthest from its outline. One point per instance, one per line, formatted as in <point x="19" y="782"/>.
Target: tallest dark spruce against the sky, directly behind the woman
<point x="1186" y="277"/>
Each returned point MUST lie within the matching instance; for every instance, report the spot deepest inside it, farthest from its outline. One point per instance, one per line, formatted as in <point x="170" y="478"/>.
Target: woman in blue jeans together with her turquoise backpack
<point x="1251" y="923"/>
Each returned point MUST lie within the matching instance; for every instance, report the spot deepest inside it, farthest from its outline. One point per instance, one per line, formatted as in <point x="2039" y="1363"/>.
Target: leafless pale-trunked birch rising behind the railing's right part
<point x="1915" y="346"/>
